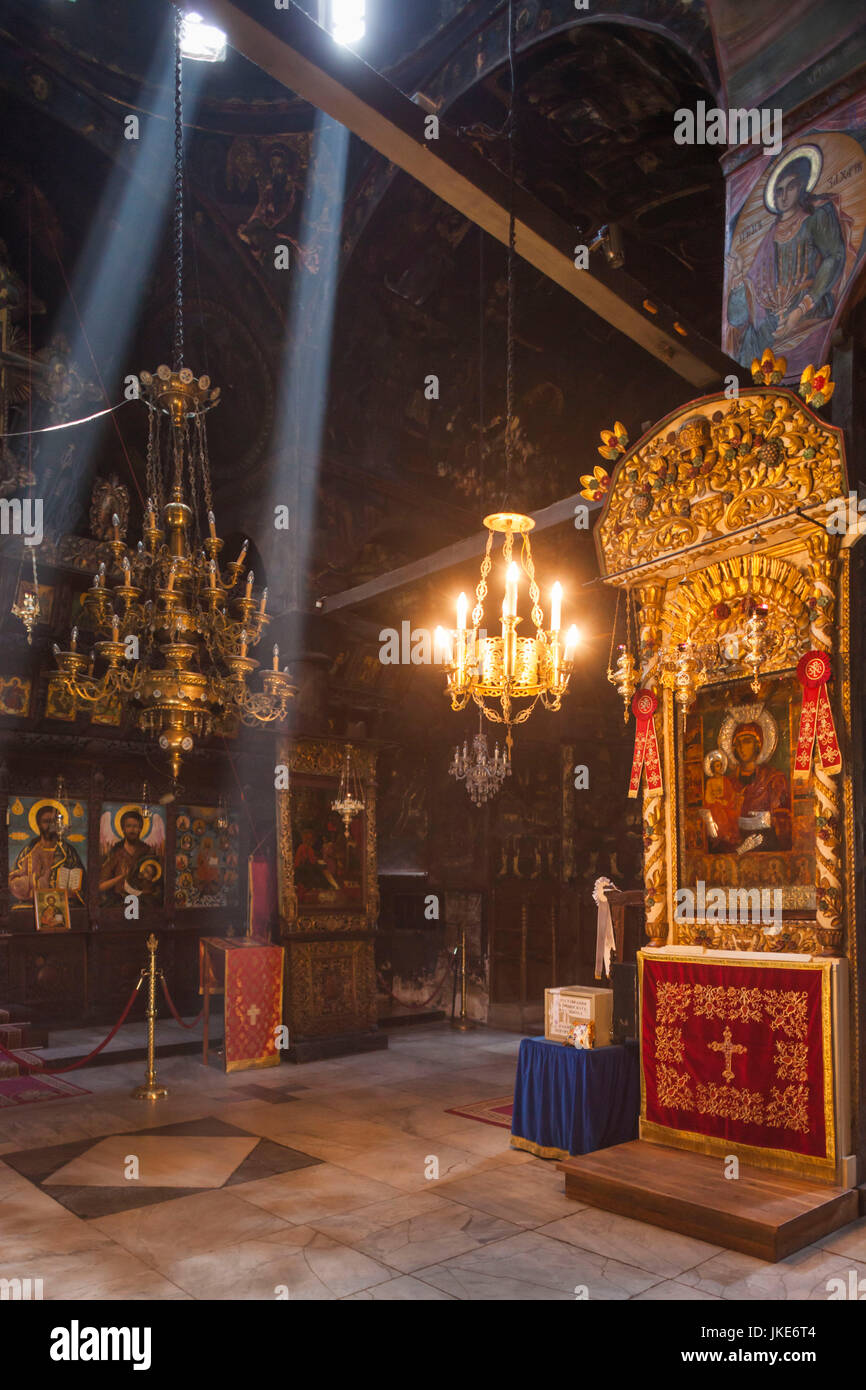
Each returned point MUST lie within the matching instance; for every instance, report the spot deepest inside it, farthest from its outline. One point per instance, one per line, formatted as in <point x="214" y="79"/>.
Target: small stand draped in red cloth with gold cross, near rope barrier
<point x="250" y="976"/>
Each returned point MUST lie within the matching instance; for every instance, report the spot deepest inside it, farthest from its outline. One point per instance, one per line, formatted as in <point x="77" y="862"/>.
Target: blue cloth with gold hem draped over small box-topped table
<point x="575" y="1100"/>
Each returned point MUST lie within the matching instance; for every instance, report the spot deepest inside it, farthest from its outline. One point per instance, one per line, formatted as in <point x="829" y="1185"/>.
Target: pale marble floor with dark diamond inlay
<point x="343" y="1179"/>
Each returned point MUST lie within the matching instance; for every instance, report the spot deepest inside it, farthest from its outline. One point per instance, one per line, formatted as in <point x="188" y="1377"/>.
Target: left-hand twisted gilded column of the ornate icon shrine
<point x="655" y="842"/>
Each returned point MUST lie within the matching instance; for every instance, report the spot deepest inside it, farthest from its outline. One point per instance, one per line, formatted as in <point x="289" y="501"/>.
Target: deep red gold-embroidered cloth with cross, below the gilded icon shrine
<point x="739" y="1056"/>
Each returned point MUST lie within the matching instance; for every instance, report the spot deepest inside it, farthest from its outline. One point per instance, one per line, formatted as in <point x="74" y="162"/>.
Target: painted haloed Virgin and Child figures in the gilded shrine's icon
<point x="747" y="804"/>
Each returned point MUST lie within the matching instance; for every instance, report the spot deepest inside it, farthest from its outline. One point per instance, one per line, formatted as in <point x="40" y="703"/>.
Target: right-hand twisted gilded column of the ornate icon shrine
<point x="824" y="568"/>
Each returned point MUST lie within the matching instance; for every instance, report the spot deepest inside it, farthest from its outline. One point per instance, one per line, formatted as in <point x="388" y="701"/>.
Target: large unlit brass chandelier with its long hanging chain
<point x="173" y="626"/>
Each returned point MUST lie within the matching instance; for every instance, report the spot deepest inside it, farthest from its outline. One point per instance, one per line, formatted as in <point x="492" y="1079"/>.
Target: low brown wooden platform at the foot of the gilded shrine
<point x="762" y="1214"/>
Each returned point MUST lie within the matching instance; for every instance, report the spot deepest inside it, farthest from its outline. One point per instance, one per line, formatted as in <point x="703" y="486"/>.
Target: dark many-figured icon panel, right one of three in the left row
<point x="206" y="858"/>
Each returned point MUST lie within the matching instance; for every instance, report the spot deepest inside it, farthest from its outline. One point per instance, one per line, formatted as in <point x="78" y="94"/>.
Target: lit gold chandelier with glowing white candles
<point x="509" y="668"/>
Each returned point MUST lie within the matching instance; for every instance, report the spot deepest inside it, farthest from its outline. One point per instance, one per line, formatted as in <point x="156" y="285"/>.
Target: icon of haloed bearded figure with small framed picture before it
<point x="48" y="849"/>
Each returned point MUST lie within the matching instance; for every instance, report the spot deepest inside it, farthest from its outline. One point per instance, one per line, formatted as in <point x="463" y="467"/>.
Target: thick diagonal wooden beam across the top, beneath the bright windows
<point x="298" y="54"/>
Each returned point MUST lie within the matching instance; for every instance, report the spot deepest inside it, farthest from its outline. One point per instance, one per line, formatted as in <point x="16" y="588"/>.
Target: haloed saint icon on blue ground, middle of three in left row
<point x="133" y="850"/>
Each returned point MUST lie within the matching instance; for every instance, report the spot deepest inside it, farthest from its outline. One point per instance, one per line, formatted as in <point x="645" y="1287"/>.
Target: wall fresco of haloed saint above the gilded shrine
<point x="796" y="243"/>
